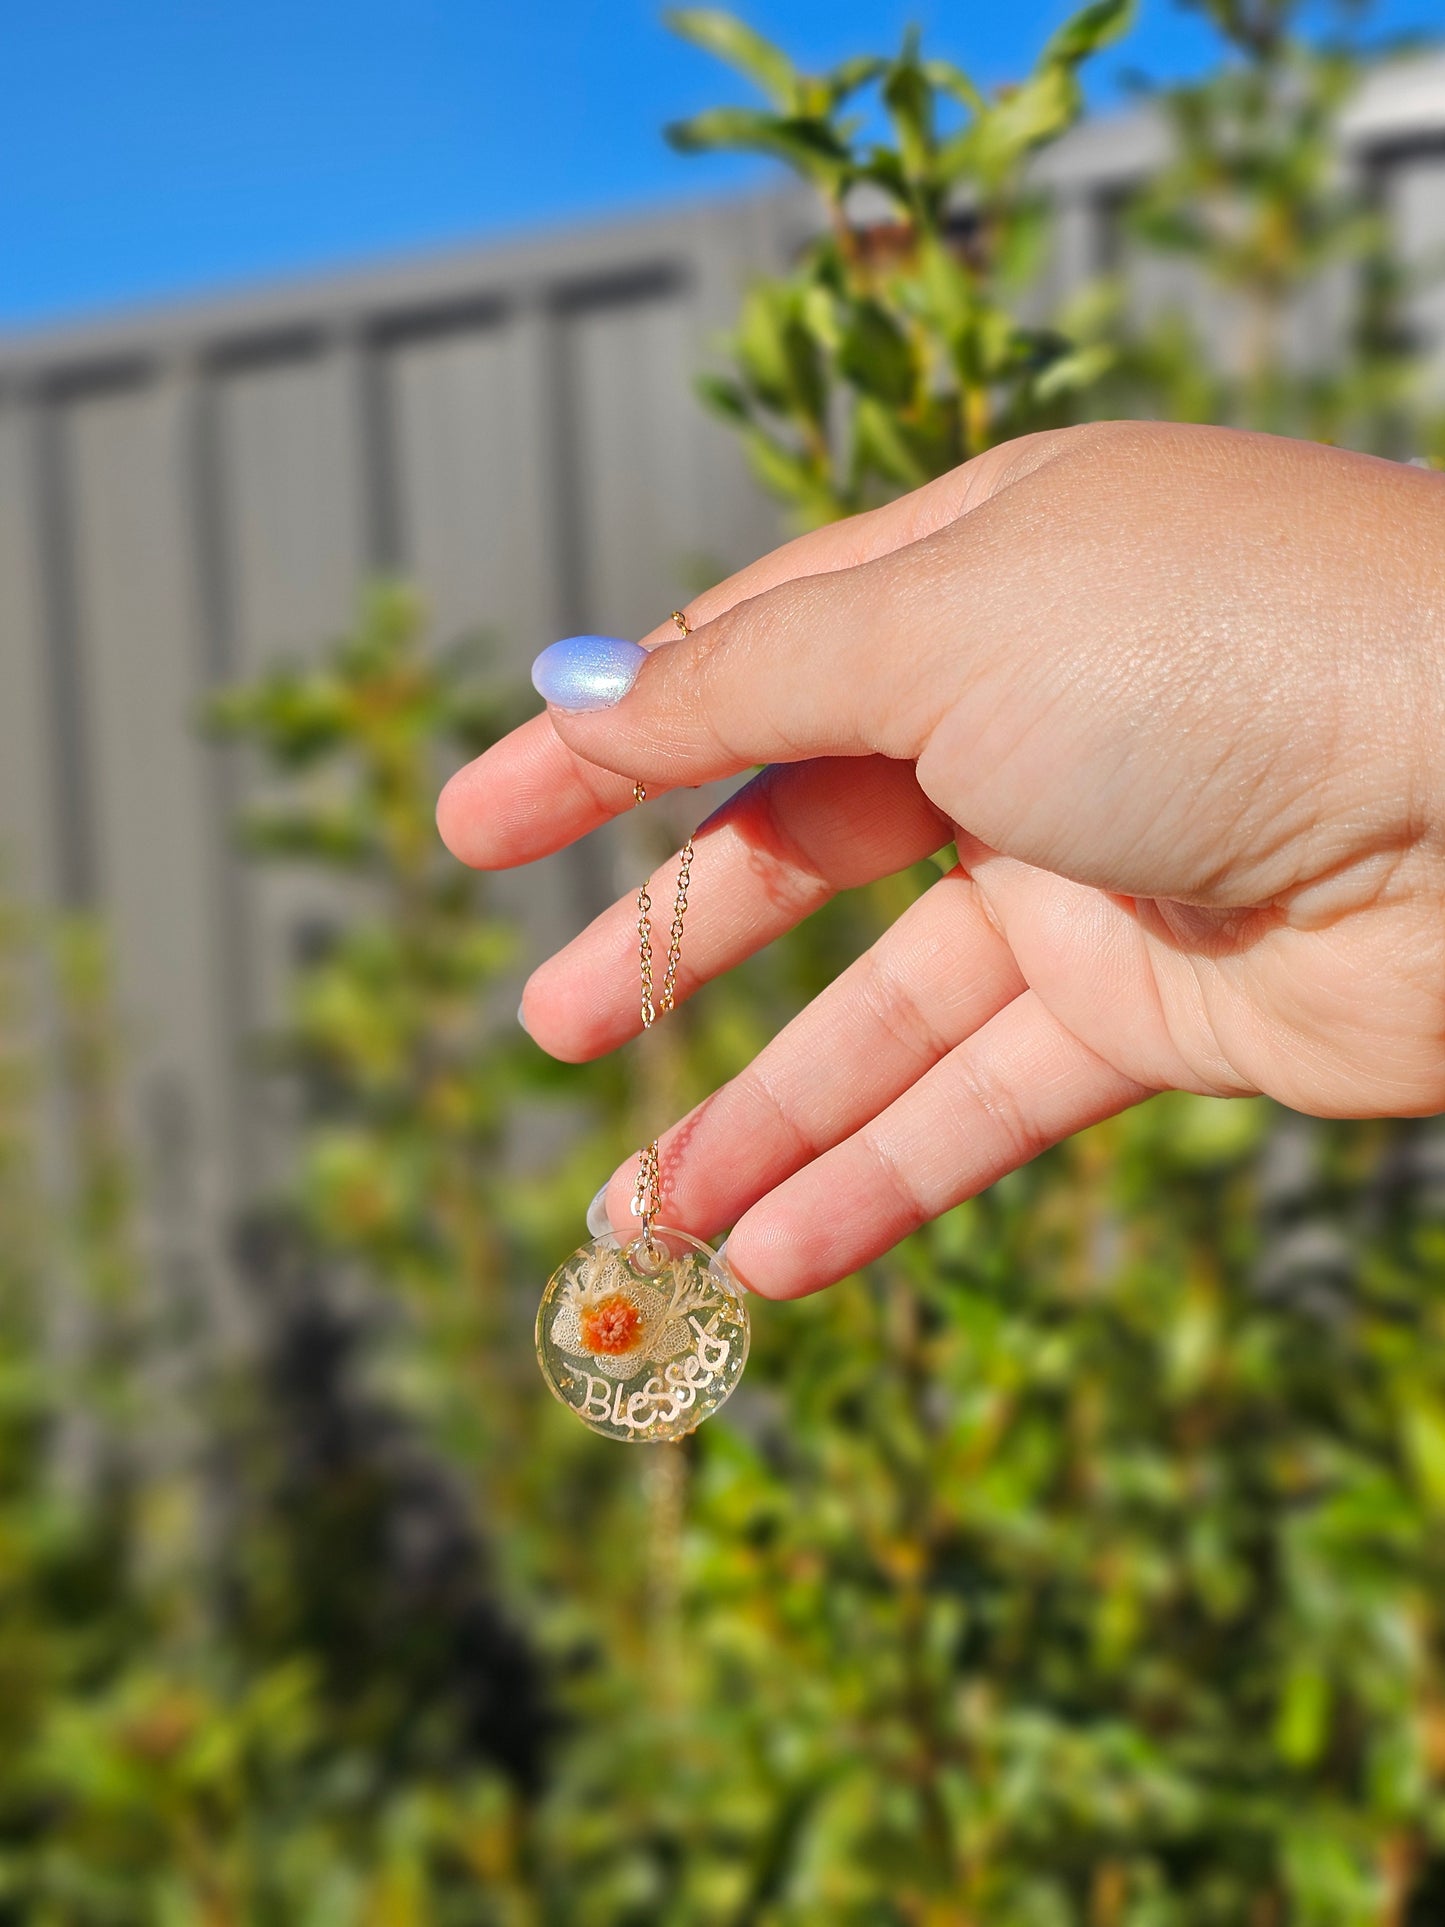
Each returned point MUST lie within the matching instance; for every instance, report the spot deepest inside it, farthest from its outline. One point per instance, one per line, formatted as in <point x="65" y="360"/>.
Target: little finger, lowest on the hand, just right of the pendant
<point x="1016" y="1088"/>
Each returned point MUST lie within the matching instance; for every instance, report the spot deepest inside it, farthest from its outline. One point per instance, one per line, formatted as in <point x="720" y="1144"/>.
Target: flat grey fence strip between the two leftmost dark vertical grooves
<point x="149" y="787"/>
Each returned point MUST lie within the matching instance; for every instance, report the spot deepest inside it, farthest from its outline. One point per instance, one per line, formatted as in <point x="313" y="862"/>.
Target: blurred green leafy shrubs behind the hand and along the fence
<point x="1080" y="1564"/>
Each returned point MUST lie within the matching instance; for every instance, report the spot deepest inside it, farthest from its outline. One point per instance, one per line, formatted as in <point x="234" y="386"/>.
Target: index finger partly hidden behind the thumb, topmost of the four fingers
<point x="533" y="793"/>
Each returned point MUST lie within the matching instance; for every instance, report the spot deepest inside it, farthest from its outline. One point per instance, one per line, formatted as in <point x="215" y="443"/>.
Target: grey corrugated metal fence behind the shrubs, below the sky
<point x="192" y="492"/>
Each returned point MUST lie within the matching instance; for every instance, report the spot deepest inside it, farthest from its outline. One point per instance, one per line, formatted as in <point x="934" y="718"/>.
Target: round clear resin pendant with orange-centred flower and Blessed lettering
<point x="643" y="1340"/>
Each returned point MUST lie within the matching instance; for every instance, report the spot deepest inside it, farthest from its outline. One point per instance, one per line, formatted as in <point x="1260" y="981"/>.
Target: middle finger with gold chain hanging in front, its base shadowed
<point x="772" y="857"/>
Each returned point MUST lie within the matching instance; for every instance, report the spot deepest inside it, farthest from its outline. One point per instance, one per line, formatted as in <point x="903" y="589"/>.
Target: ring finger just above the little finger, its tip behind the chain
<point x="924" y="988"/>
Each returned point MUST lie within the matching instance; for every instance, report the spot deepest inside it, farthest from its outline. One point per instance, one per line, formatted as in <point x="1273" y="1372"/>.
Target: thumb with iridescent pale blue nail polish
<point x="854" y="660"/>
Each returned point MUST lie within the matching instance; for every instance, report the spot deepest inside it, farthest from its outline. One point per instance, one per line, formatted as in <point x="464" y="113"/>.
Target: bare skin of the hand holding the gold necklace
<point x="1174" y="693"/>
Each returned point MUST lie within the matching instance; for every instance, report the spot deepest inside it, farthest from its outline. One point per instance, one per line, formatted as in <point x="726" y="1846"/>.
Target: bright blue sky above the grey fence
<point x="159" y="147"/>
